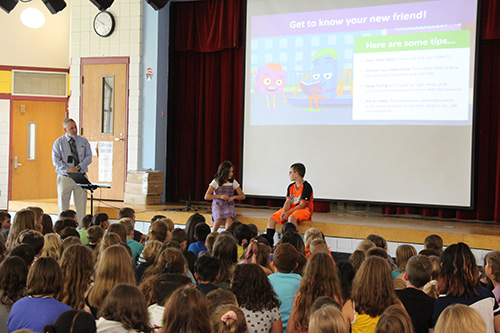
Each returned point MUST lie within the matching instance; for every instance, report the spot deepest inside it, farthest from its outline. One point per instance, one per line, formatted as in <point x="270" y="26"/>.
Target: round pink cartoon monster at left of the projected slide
<point x="269" y="80"/>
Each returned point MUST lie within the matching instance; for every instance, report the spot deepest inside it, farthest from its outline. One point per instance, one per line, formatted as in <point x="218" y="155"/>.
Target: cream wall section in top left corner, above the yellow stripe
<point x="44" y="47"/>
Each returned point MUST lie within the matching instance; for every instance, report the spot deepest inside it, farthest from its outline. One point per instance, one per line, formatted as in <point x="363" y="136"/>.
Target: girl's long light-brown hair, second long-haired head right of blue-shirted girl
<point x="114" y="267"/>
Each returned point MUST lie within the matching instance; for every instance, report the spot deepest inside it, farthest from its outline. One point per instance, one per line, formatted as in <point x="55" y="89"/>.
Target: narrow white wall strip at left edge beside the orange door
<point x="4" y="151"/>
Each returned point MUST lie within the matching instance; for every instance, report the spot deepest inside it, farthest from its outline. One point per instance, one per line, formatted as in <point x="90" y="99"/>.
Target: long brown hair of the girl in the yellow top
<point x="372" y="288"/>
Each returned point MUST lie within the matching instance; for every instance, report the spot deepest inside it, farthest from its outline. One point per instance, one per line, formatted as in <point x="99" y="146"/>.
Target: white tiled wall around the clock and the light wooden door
<point x="126" y="41"/>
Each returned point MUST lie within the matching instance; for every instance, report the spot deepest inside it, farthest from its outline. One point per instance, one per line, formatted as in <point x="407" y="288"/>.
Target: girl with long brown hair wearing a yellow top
<point x="372" y="292"/>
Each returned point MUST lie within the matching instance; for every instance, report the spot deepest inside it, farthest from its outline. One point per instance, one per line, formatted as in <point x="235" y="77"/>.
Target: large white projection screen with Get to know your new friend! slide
<point x="375" y="98"/>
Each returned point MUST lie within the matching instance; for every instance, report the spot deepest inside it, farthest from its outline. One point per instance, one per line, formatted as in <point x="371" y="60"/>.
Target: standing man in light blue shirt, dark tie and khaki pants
<point x="71" y="153"/>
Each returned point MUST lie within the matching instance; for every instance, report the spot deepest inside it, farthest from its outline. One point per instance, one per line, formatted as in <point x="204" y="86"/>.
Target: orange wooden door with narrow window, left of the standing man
<point x="35" y="127"/>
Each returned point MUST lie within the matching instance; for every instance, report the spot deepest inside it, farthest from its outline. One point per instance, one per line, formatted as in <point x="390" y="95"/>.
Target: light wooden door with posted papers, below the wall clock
<point x="104" y="115"/>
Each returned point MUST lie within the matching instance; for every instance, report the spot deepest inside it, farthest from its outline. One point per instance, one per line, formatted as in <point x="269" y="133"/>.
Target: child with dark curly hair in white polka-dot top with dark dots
<point x="256" y="298"/>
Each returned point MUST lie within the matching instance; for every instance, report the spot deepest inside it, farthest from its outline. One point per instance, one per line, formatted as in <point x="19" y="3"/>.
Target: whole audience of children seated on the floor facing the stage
<point x="105" y="284"/>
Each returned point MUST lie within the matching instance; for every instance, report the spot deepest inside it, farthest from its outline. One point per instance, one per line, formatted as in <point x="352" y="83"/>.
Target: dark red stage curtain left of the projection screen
<point x="205" y="94"/>
